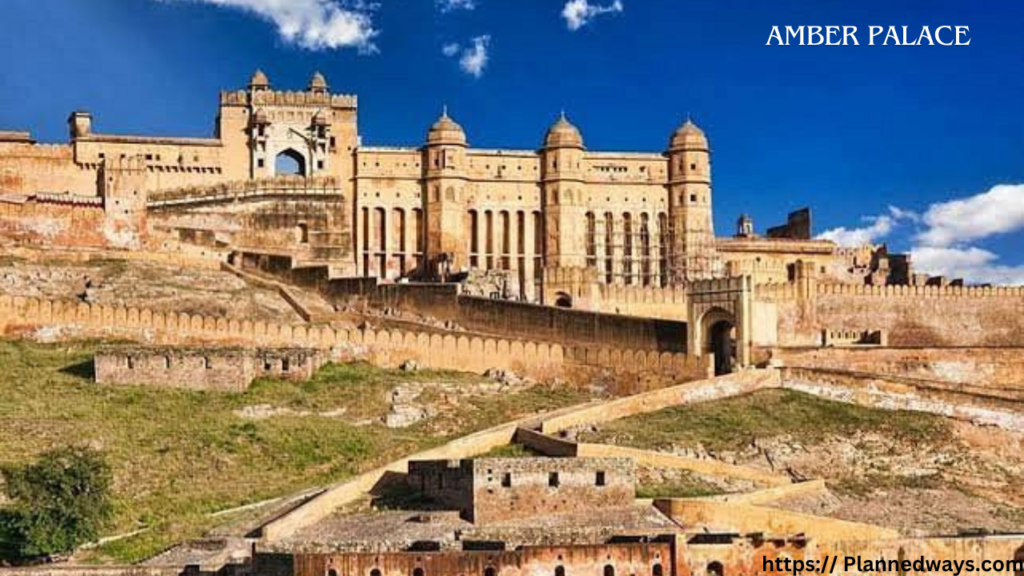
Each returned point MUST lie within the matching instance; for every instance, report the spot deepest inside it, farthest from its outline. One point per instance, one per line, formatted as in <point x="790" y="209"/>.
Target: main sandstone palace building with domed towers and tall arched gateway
<point x="556" y="220"/>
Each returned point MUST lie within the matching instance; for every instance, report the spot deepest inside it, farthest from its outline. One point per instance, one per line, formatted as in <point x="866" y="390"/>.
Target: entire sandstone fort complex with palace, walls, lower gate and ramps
<point x="558" y="264"/>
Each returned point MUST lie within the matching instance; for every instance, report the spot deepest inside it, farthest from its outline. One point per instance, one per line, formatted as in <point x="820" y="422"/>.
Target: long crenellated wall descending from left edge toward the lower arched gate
<point x="387" y="348"/>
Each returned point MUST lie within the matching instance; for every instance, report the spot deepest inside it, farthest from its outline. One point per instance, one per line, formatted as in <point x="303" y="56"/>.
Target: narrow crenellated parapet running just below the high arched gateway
<point x="289" y="185"/>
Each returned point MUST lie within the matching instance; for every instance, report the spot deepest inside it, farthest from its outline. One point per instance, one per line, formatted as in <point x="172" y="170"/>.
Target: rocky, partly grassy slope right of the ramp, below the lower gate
<point x="925" y="475"/>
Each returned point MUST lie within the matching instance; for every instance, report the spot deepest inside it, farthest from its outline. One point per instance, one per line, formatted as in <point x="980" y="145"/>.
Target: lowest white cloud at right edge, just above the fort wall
<point x="971" y="263"/>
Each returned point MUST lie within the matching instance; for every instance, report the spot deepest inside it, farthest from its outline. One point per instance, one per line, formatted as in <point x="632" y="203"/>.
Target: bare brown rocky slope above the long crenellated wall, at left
<point x="156" y="286"/>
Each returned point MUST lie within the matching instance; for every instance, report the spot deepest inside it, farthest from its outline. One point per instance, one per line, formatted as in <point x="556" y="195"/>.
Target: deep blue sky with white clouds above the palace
<point x="935" y="132"/>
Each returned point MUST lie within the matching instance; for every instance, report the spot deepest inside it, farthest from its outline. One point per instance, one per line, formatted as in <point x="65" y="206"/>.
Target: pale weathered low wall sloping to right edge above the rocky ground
<point x="893" y="393"/>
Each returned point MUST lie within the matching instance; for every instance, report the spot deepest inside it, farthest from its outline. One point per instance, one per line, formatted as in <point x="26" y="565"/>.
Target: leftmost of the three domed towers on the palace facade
<point x="445" y="177"/>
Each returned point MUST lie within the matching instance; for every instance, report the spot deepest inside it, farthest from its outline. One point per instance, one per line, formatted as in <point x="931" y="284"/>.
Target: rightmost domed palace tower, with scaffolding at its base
<point x="693" y="255"/>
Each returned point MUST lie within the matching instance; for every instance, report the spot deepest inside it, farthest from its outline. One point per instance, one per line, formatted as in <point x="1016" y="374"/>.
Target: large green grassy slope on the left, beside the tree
<point x="179" y="456"/>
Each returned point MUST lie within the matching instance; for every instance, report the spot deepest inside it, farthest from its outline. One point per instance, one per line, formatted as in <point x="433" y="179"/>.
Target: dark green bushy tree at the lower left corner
<point x="59" y="503"/>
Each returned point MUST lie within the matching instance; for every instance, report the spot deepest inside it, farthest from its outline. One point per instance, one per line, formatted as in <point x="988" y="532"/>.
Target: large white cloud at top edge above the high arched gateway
<point x="314" y="25"/>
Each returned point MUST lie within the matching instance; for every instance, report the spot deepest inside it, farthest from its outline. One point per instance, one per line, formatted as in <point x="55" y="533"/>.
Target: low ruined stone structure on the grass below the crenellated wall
<point x="219" y="369"/>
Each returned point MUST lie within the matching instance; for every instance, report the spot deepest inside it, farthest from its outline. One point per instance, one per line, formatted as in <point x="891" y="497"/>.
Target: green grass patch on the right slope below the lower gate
<point x="733" y="424"/>
